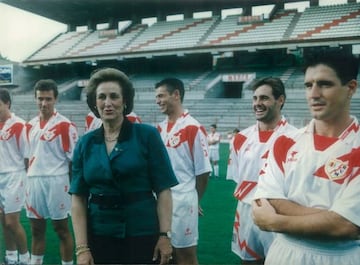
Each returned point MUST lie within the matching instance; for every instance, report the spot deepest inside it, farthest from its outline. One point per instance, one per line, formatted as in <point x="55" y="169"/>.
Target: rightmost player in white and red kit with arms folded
<point x="308" y="192"/>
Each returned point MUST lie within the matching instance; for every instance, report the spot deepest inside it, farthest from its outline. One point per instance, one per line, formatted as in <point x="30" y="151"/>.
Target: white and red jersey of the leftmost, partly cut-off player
<point x="12" y="144"/>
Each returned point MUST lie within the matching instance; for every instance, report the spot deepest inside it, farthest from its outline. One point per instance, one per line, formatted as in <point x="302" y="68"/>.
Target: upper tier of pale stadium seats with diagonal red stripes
<point x="318" y="22"/>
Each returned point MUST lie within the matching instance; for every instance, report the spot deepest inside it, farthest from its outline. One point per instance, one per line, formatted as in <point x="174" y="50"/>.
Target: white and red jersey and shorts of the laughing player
<point x="247" y="156"/>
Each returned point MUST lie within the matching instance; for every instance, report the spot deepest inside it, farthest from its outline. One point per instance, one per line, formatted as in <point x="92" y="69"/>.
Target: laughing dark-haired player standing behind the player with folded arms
<point x="248" y="155"/>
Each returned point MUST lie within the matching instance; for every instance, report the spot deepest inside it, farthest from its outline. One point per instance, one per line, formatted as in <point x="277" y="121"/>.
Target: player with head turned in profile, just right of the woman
<point x="186" y="143"/>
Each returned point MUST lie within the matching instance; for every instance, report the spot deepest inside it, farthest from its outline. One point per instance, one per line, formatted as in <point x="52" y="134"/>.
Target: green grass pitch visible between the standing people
<point x="215" y="227"/>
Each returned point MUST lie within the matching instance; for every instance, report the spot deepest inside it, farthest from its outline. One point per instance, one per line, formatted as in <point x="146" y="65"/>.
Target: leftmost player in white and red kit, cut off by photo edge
<point x="12" y="181"/>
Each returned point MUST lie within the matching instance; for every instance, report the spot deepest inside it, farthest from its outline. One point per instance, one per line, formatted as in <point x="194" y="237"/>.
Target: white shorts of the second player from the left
<point x="48" y="197"/>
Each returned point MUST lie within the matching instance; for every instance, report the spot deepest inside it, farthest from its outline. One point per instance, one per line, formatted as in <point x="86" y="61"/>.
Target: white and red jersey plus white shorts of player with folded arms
<point x="319" y="172"/>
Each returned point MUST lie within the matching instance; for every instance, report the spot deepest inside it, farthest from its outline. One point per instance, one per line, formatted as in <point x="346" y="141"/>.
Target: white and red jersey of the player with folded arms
<point x="316" y="171"/>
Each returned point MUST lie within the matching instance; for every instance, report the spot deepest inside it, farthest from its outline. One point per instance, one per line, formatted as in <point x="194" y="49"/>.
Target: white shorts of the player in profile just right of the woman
<point x="185" y="218"/>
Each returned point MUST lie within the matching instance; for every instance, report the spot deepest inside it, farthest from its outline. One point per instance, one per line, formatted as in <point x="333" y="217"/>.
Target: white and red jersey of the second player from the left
<point x="50" y="145"/>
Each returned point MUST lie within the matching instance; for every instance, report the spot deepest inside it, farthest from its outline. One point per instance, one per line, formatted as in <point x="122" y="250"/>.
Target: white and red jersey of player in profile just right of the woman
<point x="187" y="147"/>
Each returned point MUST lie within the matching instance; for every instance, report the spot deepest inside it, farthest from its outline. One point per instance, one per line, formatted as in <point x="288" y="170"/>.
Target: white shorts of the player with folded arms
<point x="287" y="250"/>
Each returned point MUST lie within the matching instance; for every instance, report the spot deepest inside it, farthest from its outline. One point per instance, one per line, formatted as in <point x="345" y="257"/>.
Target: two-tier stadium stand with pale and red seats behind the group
<point x="200" y="51"/>
